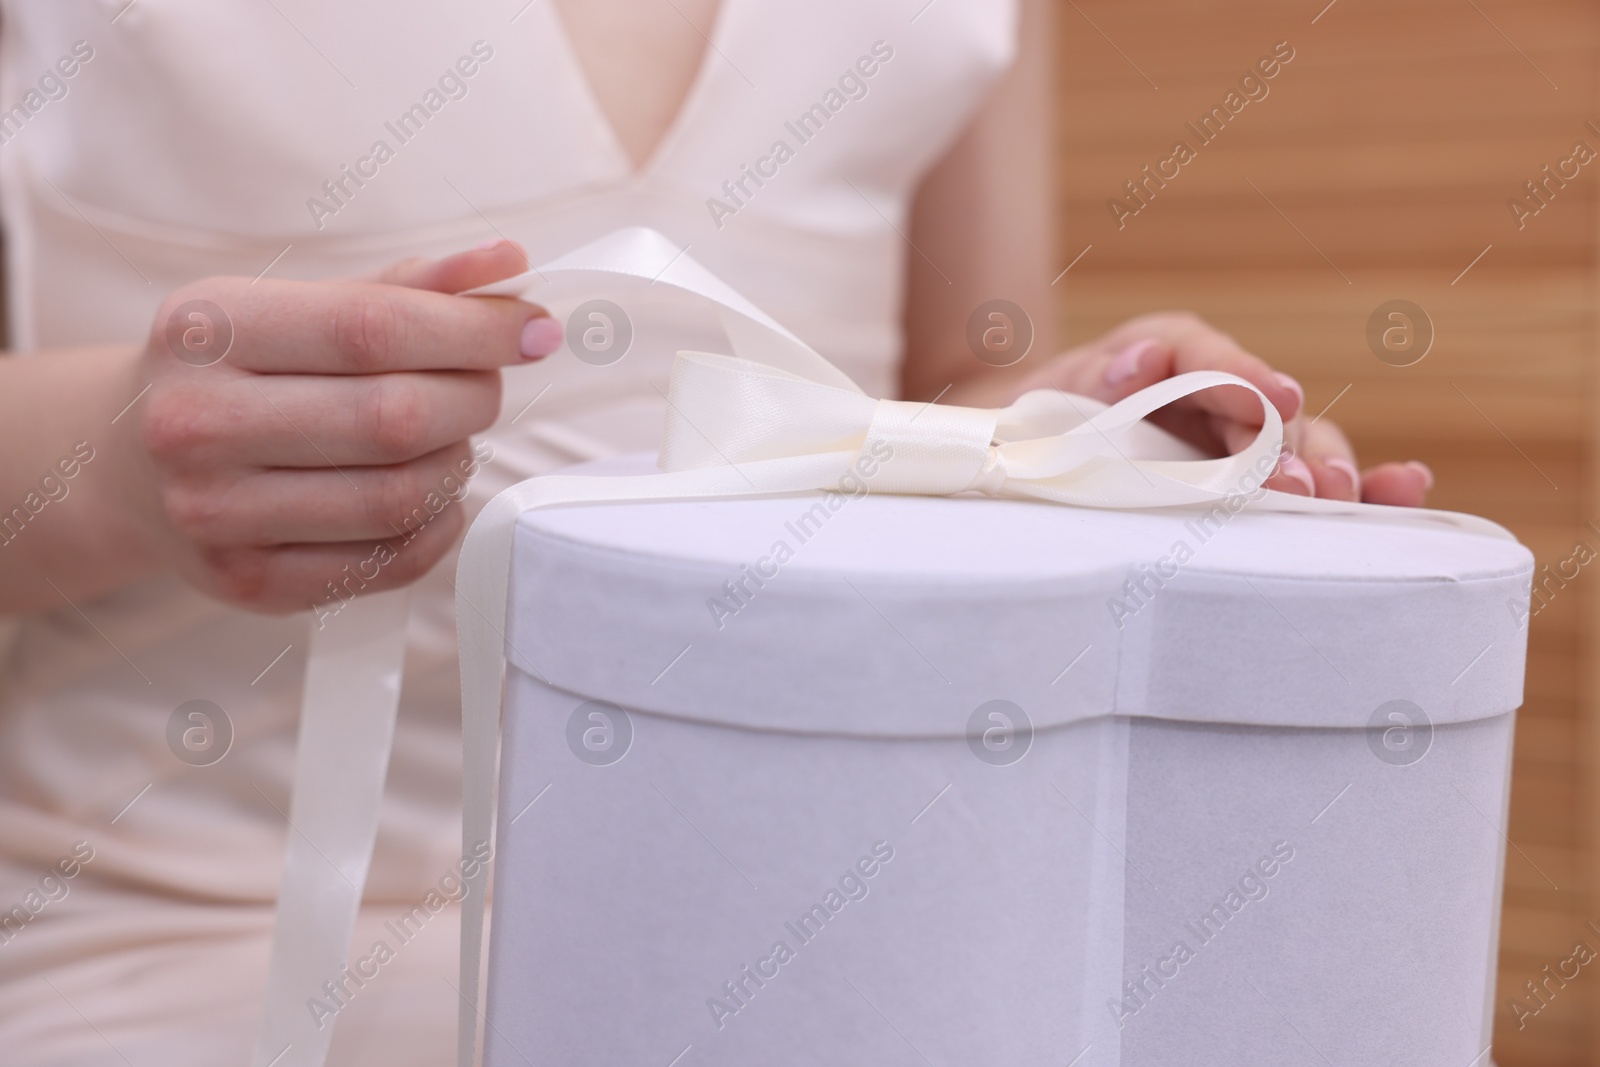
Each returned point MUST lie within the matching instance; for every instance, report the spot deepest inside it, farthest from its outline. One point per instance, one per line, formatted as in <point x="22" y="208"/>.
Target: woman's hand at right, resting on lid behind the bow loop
<point x="1318" y="458"/>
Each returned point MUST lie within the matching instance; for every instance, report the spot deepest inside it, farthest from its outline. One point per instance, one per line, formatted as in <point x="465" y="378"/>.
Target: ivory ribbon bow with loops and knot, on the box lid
<point x="774" y="428"/>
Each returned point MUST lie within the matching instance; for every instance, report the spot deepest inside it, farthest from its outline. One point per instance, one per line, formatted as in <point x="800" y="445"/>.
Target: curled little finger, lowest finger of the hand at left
<point x="324" y="577"/>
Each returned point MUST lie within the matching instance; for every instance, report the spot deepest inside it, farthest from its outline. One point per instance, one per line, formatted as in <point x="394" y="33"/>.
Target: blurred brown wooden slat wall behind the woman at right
<point x="1393" y="143"/>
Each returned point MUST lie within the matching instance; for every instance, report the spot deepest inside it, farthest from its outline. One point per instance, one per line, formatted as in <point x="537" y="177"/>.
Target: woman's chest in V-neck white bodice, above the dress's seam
<point x="303" y="121"/>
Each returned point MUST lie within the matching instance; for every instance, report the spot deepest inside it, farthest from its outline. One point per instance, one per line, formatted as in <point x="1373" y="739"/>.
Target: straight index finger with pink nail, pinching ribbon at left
<point x="367" y="329"/>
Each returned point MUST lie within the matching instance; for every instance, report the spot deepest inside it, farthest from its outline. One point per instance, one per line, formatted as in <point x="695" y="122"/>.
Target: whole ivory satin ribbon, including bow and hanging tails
<point x="774" y="418"/>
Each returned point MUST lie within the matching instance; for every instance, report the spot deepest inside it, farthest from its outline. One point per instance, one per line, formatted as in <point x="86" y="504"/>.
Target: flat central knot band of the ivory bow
<point x="932" y="450"/>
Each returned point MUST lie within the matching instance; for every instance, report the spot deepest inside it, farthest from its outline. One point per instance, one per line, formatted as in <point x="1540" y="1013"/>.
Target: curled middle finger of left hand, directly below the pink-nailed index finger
<point x="314" y="422"/>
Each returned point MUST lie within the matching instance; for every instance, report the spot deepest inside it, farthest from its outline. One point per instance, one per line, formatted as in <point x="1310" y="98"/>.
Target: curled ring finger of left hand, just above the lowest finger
<point x="276" y="508"/>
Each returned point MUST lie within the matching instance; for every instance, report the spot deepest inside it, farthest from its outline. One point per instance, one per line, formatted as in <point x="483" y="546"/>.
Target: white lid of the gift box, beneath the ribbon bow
<point x="900" y="615"/>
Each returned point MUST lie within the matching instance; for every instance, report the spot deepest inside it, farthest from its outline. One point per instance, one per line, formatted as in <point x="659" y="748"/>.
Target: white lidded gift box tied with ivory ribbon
<point x="910" y="780"/>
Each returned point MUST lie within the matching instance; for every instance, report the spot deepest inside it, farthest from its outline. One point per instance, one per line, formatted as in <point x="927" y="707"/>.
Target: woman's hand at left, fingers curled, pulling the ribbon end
<point x="338" y="409"/>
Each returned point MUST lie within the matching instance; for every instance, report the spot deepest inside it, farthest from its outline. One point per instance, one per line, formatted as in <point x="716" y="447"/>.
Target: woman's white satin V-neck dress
<point x="196" y="138"/>
